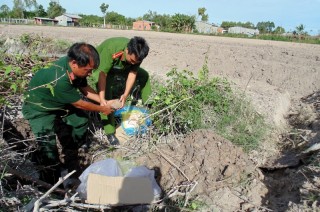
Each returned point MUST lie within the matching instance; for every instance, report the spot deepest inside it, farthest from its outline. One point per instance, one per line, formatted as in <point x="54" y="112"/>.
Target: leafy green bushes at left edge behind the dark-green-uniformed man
<point x="16" y="69"/>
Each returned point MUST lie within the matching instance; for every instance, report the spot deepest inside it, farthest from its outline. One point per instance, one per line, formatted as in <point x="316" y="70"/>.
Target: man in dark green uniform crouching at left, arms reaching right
<point x="53" y="98"/>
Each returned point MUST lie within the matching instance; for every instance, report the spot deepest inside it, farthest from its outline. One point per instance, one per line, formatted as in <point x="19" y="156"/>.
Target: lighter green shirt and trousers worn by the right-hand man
<point x="113" y="63"/>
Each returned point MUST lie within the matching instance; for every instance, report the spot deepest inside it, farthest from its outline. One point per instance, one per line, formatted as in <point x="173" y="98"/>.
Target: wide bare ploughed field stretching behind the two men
<point x="273" y="73"/>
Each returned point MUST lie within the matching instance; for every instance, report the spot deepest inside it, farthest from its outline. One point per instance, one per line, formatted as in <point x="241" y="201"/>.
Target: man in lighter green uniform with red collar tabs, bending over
<point x="119" y="72"/>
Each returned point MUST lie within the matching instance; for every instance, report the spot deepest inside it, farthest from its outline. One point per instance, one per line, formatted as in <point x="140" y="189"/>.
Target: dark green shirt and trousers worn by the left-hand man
<point x="48" y="104"/>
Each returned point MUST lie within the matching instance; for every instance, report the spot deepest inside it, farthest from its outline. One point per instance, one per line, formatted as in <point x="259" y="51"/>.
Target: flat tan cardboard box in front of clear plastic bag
<point x="118" y="190"/>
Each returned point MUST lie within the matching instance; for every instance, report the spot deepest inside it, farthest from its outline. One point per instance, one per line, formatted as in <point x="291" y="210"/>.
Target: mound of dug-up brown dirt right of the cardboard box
<point x="202" y="160"/>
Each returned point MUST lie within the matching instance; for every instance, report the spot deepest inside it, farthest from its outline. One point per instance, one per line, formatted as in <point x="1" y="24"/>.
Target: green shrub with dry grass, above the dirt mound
<point x="185" y="103"/>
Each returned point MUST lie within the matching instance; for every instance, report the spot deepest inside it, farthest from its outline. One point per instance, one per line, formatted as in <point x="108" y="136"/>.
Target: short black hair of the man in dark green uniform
<point x="82" y="53"/>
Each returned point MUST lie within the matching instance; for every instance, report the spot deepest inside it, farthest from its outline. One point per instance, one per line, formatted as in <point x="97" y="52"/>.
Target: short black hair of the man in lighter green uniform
<point x="139" y="47"/>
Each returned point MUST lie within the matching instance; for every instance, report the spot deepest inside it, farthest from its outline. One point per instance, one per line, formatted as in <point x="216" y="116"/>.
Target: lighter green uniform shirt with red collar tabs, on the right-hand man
<point x="110" y="60"/>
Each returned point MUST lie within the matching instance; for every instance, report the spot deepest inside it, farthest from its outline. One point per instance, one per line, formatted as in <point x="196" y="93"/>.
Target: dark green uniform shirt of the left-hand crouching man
<point x="51" y="89"/>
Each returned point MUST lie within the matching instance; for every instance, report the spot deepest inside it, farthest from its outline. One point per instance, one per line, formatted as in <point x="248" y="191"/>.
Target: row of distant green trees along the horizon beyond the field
<point x="169" y="23"/>
